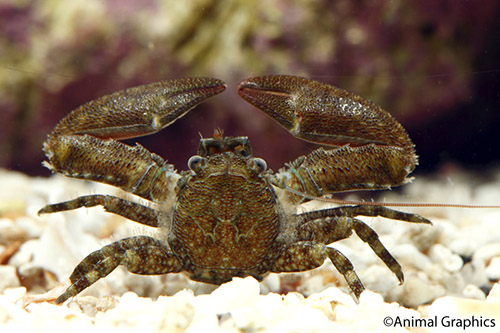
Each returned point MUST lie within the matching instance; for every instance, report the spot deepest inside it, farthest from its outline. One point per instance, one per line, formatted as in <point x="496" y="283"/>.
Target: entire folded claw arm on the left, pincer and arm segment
<point x="82" y="144"/>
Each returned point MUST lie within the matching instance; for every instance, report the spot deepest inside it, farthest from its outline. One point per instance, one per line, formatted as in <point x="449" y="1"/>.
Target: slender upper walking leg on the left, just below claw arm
<point x="128" y="209"/>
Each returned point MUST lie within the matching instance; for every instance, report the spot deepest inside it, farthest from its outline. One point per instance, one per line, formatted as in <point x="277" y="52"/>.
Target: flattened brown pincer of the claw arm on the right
<point x="323" y="114"/>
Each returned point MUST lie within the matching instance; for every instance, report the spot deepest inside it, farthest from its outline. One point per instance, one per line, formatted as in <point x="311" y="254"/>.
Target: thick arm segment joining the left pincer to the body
<point x="133" y="169"/>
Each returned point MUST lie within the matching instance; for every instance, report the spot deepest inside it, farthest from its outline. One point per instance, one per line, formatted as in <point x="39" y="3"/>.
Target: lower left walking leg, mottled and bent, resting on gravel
<point x="140" y="255"/>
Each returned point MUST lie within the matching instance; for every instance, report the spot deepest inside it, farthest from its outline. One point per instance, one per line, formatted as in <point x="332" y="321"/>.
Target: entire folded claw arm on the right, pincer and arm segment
<point x="375" y="151"/>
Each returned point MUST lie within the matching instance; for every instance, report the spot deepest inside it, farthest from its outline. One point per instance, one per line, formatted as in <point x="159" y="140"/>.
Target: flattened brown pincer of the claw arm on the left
<point x="138" y="111"/>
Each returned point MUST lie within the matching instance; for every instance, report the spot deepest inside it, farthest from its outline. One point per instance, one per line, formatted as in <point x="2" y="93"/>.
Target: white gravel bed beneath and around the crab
<point x="451" y="271"/>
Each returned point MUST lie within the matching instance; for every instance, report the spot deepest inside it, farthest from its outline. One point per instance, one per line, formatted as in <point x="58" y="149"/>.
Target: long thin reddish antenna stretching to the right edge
<point x="384" y="204"/>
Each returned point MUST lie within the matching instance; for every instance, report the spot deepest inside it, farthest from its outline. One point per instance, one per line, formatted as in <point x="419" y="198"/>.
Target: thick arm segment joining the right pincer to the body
<point x="347" y="168"/>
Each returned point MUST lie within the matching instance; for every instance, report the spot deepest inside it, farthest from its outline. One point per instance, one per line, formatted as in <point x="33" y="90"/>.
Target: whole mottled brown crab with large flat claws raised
<point x="229" y="215"/>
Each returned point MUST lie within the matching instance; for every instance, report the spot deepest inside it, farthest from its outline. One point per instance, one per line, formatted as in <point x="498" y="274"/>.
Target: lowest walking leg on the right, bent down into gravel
<point x="303" y="256"/>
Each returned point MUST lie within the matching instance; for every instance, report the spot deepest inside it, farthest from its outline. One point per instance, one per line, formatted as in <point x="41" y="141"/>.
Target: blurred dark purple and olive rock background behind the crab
<point x="435" y="65"/>
